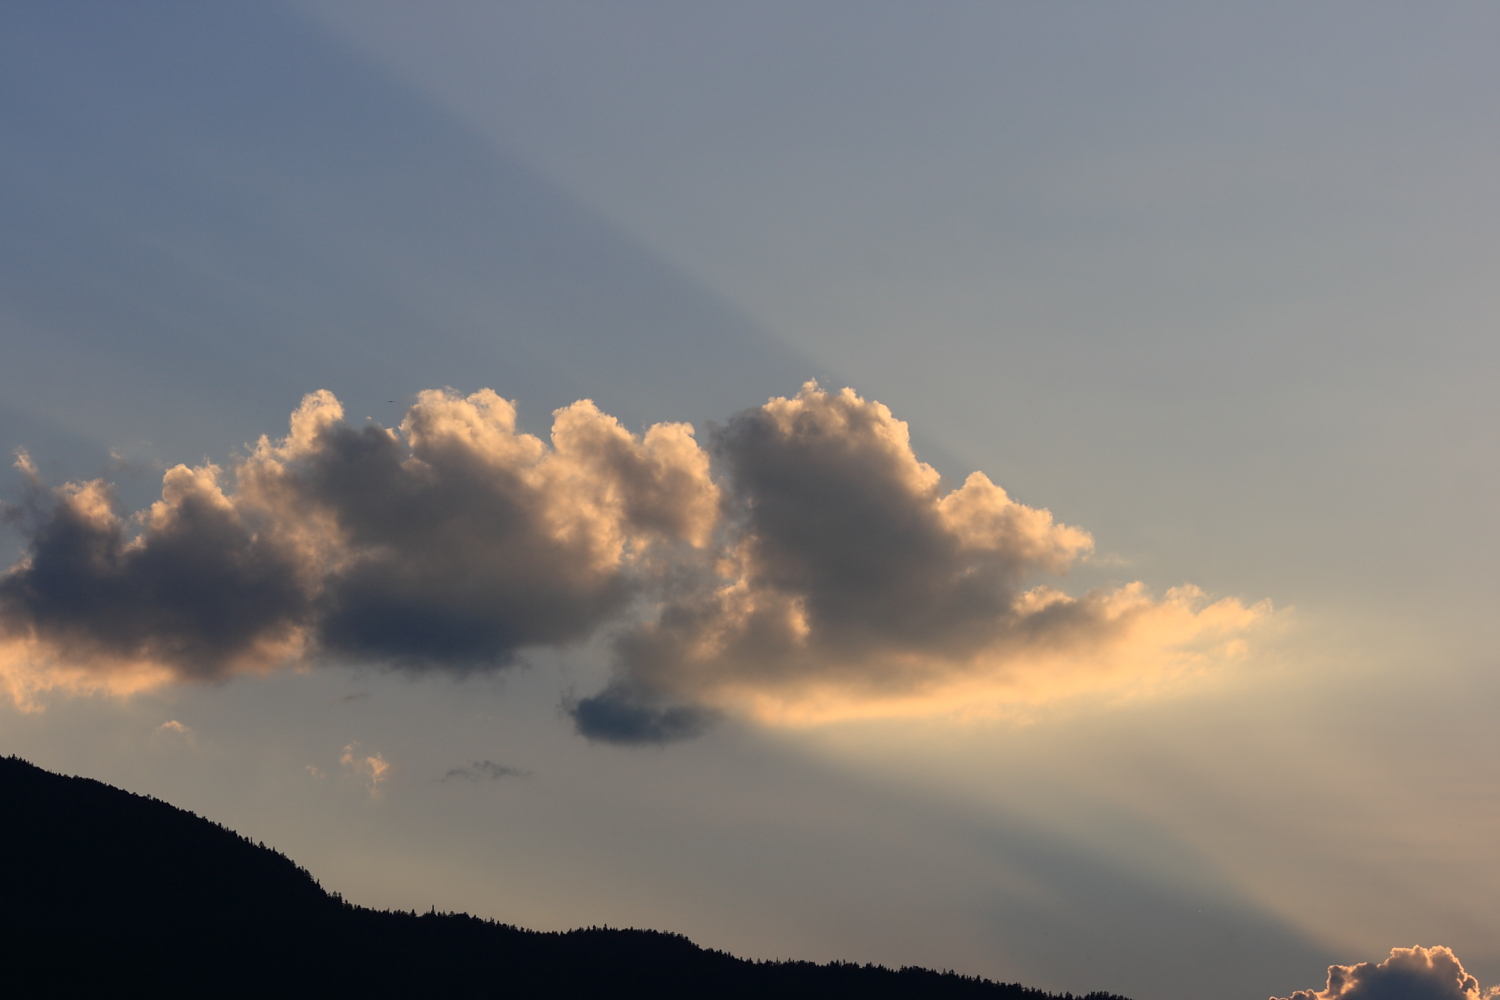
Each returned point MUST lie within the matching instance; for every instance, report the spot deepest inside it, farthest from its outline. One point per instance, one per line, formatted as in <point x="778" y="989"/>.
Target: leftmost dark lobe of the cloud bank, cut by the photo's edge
<point x="194" y="593"/>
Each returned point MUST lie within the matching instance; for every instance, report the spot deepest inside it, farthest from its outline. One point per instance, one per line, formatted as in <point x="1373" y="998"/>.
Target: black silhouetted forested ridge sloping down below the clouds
<point x="107" y="893"/>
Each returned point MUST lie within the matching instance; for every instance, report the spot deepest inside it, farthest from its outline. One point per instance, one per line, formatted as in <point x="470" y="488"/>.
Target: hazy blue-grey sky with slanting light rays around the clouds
<point x="1214" y="284"/>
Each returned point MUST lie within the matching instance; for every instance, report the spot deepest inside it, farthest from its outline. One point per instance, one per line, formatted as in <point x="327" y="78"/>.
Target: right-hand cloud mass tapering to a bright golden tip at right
<point x="854" y="585"/>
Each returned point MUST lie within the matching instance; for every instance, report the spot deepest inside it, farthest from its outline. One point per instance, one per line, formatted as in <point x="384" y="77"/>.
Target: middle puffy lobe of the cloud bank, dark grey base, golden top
<point x="469" y="540"/>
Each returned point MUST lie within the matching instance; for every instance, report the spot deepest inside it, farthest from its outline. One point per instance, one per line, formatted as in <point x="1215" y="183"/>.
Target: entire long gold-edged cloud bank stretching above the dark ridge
<point x="803" y="567"/>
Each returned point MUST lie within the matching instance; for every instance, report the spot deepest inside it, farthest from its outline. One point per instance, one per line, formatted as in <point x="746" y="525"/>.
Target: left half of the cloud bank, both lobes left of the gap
<point x="451" y="542"/>
